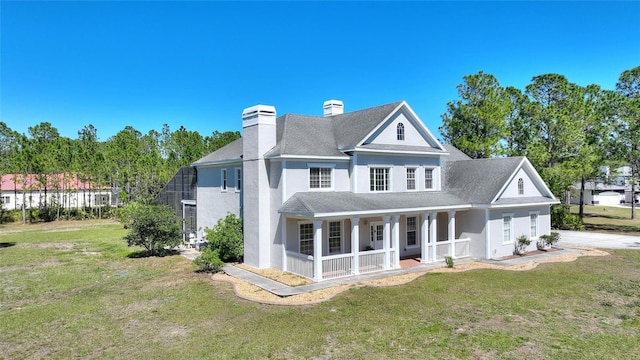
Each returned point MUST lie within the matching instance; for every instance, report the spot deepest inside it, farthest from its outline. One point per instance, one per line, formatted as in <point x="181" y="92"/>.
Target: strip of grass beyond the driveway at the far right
<point x="610" y="219"/>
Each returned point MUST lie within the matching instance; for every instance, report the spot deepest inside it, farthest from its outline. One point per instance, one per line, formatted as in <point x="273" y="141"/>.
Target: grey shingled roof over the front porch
<point x="318" y="204"/>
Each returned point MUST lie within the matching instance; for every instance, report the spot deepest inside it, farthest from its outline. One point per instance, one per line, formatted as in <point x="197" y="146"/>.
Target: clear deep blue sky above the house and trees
<point x="198" y="64"/>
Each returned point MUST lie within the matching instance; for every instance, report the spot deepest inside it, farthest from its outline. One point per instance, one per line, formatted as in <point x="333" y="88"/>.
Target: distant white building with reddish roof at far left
<point x="68" y="191"/>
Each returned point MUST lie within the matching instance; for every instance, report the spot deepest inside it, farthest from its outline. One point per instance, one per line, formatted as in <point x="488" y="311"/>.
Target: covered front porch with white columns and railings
<point x="331" y="247"/>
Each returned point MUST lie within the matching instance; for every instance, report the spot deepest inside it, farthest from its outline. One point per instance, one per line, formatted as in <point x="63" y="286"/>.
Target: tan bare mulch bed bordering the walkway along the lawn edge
<point x="251" y="292"/>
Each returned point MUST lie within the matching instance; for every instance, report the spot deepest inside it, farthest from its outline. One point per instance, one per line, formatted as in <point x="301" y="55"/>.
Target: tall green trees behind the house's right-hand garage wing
<point x="567" y="131"/>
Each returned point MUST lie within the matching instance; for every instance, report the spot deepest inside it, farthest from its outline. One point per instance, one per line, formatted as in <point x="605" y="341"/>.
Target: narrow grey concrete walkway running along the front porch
<point x="283" y="290"/>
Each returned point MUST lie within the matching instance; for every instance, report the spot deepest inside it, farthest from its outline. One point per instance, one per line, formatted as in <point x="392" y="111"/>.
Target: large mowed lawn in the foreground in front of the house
<point x="68" y="290"/>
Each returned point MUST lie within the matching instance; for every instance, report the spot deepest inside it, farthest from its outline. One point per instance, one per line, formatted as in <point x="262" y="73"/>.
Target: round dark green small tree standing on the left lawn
<point x="153" y="227"/>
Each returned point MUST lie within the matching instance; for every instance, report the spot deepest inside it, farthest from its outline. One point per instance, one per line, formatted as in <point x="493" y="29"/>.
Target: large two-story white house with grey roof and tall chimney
<point x="351" y="193"/>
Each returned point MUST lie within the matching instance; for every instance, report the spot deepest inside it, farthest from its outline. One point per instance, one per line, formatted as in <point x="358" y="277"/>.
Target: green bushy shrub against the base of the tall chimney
<point x="227" y="238"/>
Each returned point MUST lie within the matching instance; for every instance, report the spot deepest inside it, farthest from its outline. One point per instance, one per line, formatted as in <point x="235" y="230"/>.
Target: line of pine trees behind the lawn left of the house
<point x="135" y="165"/>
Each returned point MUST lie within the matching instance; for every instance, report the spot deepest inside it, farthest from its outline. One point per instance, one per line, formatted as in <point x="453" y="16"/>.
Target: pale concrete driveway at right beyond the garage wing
<point x="598" y="240"/>
